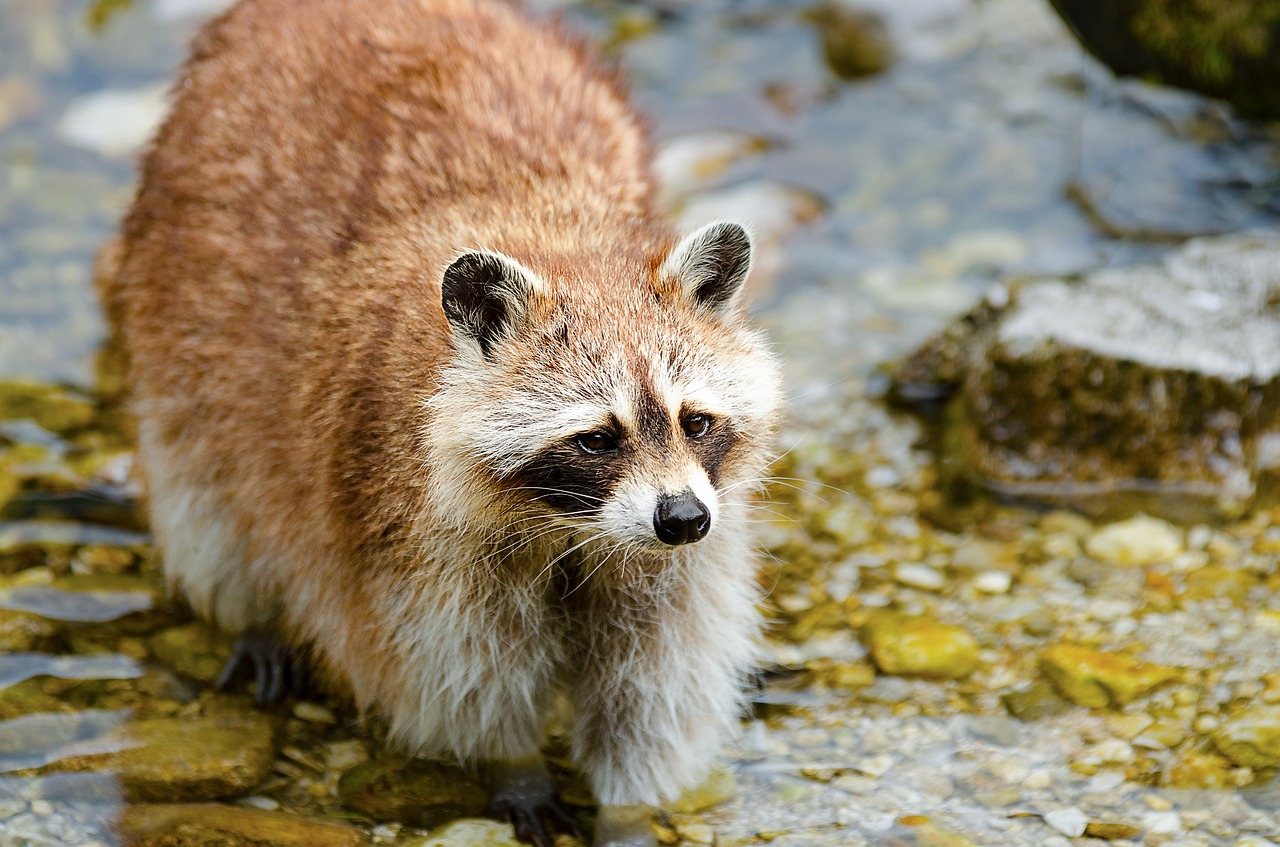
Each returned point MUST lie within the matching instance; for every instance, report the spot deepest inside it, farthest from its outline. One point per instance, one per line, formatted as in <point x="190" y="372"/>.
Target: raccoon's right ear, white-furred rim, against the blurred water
<point x="712" y="264"/>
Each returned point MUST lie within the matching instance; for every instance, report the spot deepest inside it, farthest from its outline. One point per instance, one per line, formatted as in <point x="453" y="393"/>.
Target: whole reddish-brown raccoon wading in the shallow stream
<point x="427" y="388"/>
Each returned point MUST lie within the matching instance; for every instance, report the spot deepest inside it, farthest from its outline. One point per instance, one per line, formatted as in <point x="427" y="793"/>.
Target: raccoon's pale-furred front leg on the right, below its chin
<point x="661" y="675"/>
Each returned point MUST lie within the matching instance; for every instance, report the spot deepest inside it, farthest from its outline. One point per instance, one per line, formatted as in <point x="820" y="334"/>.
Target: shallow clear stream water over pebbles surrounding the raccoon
<point x="884" y="207"/>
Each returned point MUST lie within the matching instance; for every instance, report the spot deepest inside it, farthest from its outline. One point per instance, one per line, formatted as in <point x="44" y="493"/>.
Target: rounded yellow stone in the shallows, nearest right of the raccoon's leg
<point x="921" y="647"/>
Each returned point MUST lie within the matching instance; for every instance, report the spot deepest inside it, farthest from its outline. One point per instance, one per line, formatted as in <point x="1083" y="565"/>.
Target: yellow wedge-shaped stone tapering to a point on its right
<point x="1099" y="680"/>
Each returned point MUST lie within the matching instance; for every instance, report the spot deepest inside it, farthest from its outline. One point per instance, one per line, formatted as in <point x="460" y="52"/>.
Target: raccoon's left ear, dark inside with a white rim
<point x="486" y="296"/>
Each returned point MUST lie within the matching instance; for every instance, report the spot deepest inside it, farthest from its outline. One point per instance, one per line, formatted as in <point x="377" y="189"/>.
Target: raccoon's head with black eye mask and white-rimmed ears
<point x="633" y="411"/>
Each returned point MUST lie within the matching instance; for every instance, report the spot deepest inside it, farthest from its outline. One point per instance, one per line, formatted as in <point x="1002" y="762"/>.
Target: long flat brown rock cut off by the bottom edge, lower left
<point x="217" y="826"/>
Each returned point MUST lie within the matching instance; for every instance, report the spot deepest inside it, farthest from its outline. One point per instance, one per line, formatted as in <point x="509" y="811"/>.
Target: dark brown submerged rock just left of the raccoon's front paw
<point x="422" y="794"/>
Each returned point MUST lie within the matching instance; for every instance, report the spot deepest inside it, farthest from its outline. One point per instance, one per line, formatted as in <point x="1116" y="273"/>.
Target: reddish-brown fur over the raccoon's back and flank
<point x="280" y="282"/>
